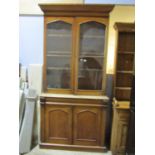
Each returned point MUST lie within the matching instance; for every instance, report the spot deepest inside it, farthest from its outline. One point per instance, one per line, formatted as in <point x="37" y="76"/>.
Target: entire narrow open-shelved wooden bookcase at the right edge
<point x="124" y="63"/>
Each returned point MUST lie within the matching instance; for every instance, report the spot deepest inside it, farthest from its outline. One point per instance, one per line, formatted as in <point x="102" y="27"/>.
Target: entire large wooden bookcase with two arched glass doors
<point x="73" y="105"/>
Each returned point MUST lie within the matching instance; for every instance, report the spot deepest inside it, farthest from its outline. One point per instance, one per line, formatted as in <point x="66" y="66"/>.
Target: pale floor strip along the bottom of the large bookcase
<point x="38" y="151"/>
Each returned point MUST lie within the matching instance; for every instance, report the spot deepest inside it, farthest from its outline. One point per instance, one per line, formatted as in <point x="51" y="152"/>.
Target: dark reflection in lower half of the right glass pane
<point x="90" y="74"/>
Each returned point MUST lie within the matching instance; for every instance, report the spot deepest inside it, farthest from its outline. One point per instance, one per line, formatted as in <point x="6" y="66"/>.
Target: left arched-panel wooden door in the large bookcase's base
<point x="58" y="124"/>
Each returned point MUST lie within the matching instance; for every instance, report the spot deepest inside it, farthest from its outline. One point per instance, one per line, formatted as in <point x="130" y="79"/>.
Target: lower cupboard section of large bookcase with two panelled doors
<point x="74" y="124"/>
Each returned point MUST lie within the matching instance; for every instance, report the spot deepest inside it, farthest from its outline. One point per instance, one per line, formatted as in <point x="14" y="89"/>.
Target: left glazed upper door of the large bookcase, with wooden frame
<point x="58" y="62"/>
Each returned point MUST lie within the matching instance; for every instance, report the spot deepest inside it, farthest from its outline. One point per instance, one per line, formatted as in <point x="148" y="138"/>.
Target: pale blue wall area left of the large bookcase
<point x="30" y="40"/>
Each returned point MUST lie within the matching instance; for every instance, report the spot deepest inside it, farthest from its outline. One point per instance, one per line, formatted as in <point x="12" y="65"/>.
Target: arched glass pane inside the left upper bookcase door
<point x="58" y="57"/>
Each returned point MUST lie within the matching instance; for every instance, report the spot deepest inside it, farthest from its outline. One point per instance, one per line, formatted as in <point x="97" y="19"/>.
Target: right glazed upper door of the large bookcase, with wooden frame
<point x="91" y="47"/>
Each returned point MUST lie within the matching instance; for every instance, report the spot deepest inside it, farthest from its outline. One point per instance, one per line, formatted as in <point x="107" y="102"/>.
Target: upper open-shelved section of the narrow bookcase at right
<point x="124" y="62"/>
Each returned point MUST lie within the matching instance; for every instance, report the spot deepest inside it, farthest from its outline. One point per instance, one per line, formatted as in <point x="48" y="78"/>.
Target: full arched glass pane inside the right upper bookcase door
<point x="91" y="56"/>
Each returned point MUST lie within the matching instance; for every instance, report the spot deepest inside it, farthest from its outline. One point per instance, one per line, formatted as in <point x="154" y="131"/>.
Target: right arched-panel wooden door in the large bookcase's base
<point x="87" y="126"/>
